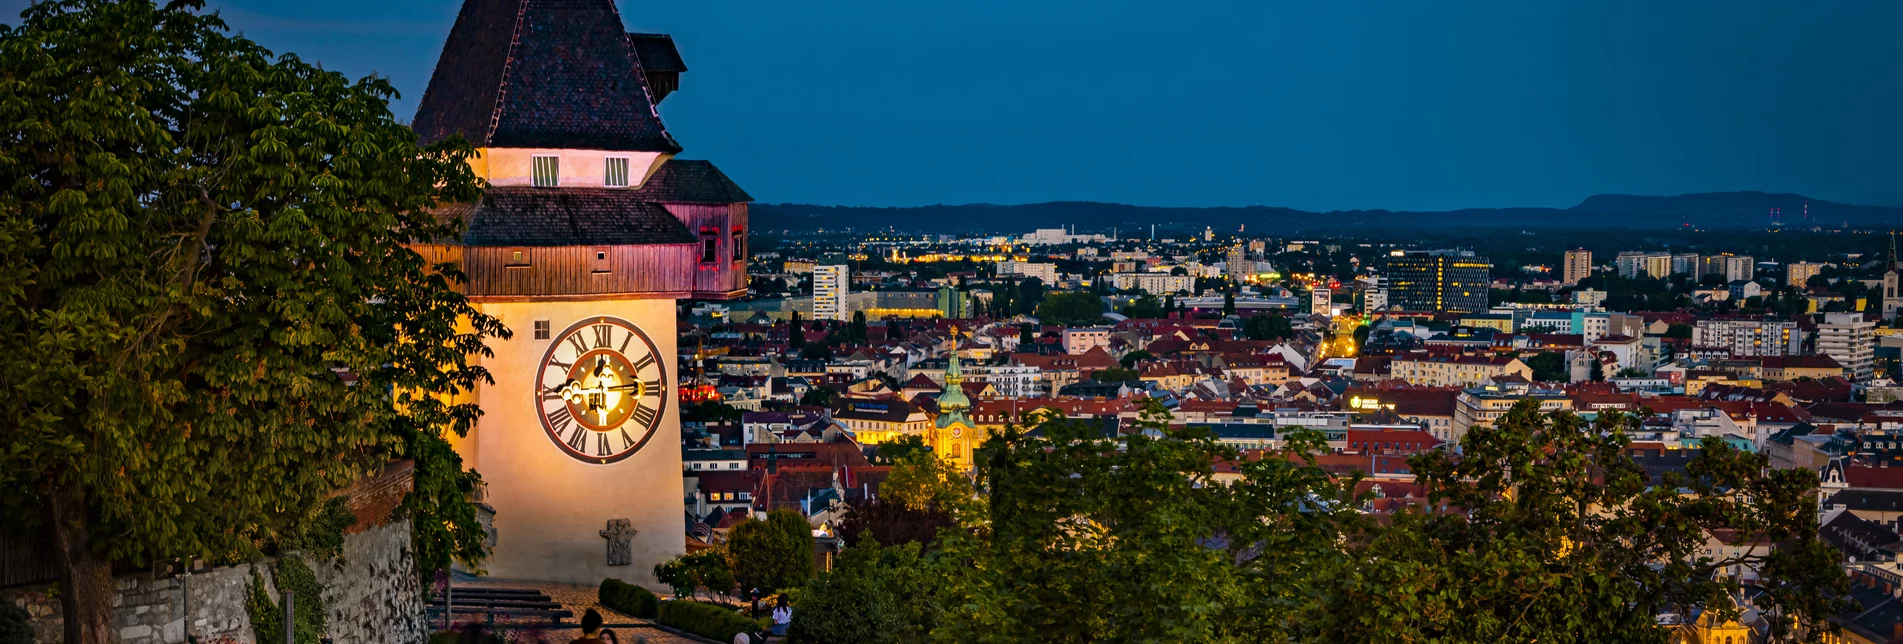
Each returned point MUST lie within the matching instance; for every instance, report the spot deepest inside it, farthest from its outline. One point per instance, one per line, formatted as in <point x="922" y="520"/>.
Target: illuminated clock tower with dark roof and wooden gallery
<point x="583" y="245"/>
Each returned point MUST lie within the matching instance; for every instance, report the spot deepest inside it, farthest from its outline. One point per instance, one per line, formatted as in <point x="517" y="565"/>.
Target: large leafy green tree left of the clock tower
<point x="199" y="239"/>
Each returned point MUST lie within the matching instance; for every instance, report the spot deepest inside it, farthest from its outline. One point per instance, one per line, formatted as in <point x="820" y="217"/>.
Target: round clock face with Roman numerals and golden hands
<point x="602" y="390"/>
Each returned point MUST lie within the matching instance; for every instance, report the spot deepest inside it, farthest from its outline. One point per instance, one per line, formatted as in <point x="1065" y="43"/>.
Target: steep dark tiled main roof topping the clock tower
<point x="545" y="75"/>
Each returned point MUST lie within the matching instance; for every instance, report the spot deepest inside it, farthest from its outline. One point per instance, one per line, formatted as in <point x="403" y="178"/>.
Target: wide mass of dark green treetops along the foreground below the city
<point x="1561" y="540"/>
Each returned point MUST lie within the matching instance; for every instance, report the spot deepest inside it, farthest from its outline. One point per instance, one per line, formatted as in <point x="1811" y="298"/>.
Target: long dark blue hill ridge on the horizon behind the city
<point x="1712" y="211"/>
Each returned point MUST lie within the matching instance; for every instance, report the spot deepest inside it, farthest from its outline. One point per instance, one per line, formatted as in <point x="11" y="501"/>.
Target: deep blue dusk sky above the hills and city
<point x="1377" y="104"/>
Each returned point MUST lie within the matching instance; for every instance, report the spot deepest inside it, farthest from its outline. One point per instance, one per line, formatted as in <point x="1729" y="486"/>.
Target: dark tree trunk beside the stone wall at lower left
<point x="87" y="576"/>
